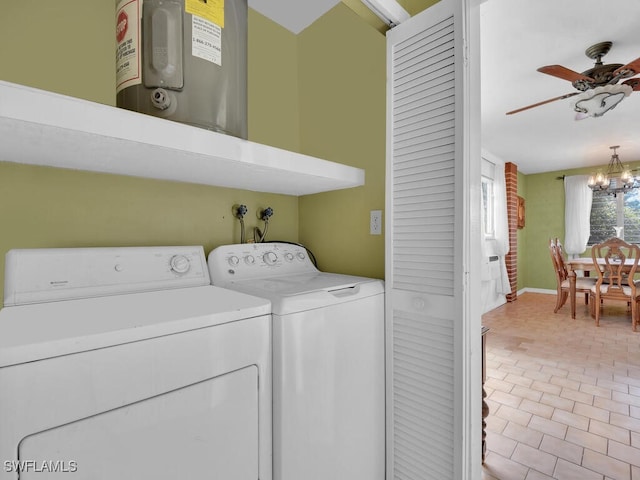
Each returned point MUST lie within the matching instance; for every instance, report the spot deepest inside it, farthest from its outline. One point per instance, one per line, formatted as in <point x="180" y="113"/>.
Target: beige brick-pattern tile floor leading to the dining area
<point x="564" y="395"/>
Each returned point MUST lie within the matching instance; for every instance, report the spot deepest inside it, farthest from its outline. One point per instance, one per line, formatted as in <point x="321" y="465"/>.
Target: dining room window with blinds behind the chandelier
<point x="608" y="212"/>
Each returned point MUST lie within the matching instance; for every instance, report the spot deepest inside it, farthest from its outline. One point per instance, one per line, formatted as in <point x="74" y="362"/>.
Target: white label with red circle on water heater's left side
<point x="128" y="58"/>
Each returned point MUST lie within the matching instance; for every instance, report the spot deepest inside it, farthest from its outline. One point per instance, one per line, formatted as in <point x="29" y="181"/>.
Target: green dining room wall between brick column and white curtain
<point x="544" y="195"/>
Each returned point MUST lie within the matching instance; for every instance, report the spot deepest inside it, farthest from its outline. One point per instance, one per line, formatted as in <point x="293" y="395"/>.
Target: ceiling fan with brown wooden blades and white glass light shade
<point x="595" y="80"/>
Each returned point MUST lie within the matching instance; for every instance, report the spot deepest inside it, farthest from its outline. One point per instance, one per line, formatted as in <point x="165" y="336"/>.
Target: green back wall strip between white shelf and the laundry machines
<point x="50" y="207"/>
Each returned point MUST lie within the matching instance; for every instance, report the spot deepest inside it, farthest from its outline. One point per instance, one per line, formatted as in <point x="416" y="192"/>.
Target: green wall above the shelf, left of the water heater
<point x="65" y="47"/>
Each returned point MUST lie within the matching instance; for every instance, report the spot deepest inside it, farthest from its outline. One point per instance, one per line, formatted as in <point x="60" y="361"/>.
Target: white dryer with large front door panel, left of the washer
<point x="126" y="363"/>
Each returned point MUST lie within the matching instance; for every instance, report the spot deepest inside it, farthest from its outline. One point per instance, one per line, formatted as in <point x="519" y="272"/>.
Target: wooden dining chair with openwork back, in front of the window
<point x="617" y="263"/>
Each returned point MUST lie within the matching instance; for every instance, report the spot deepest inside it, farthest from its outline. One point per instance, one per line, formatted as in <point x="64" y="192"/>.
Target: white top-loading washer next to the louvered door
<point x="328" y="360"/>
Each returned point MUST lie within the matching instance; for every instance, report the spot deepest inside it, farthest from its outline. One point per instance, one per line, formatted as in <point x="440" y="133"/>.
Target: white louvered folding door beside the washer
<point x="433" y="327"/>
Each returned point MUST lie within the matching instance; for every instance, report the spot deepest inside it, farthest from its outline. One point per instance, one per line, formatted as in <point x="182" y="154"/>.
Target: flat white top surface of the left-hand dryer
<point x="44" y="330"/>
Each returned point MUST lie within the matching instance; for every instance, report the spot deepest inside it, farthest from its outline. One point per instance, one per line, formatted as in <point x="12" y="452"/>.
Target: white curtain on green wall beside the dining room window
<point x="577" y="212"/>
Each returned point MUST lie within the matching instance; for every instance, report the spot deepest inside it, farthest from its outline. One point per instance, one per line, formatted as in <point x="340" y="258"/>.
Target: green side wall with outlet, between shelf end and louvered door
<point x="342" y="109"/>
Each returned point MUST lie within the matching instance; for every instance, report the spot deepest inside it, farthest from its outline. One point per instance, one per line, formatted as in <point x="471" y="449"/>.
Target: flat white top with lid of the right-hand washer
<point x="308" y="291"/>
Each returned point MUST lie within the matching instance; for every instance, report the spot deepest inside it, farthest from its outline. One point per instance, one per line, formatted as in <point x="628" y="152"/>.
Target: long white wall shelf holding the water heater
<point x="43" y="128"/>
